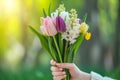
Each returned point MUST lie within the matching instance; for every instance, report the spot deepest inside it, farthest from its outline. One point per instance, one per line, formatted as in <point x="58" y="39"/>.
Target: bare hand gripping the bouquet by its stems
<point x="76" y="74"/>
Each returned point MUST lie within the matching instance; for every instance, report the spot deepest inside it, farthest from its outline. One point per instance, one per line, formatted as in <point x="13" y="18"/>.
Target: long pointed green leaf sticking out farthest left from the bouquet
<point x="43" y="39"/>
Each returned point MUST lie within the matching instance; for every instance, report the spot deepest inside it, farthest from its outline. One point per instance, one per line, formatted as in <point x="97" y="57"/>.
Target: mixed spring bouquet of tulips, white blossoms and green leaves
<point x="61" y="34"/>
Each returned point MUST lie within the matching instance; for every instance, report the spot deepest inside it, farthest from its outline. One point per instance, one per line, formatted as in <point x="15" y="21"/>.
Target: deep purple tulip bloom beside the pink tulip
<point x="60" y="24"/>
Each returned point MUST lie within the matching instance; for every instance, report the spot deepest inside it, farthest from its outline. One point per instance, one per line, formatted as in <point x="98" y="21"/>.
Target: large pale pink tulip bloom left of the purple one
<point x="48" y="26"/>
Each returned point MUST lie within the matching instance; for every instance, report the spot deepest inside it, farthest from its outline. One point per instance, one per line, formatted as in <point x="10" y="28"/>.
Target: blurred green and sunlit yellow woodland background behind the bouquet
<point x="21" y="55"/>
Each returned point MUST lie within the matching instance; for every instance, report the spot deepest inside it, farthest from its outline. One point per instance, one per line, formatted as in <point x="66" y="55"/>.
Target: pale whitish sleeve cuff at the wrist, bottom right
<point x="96" y="76"/>
